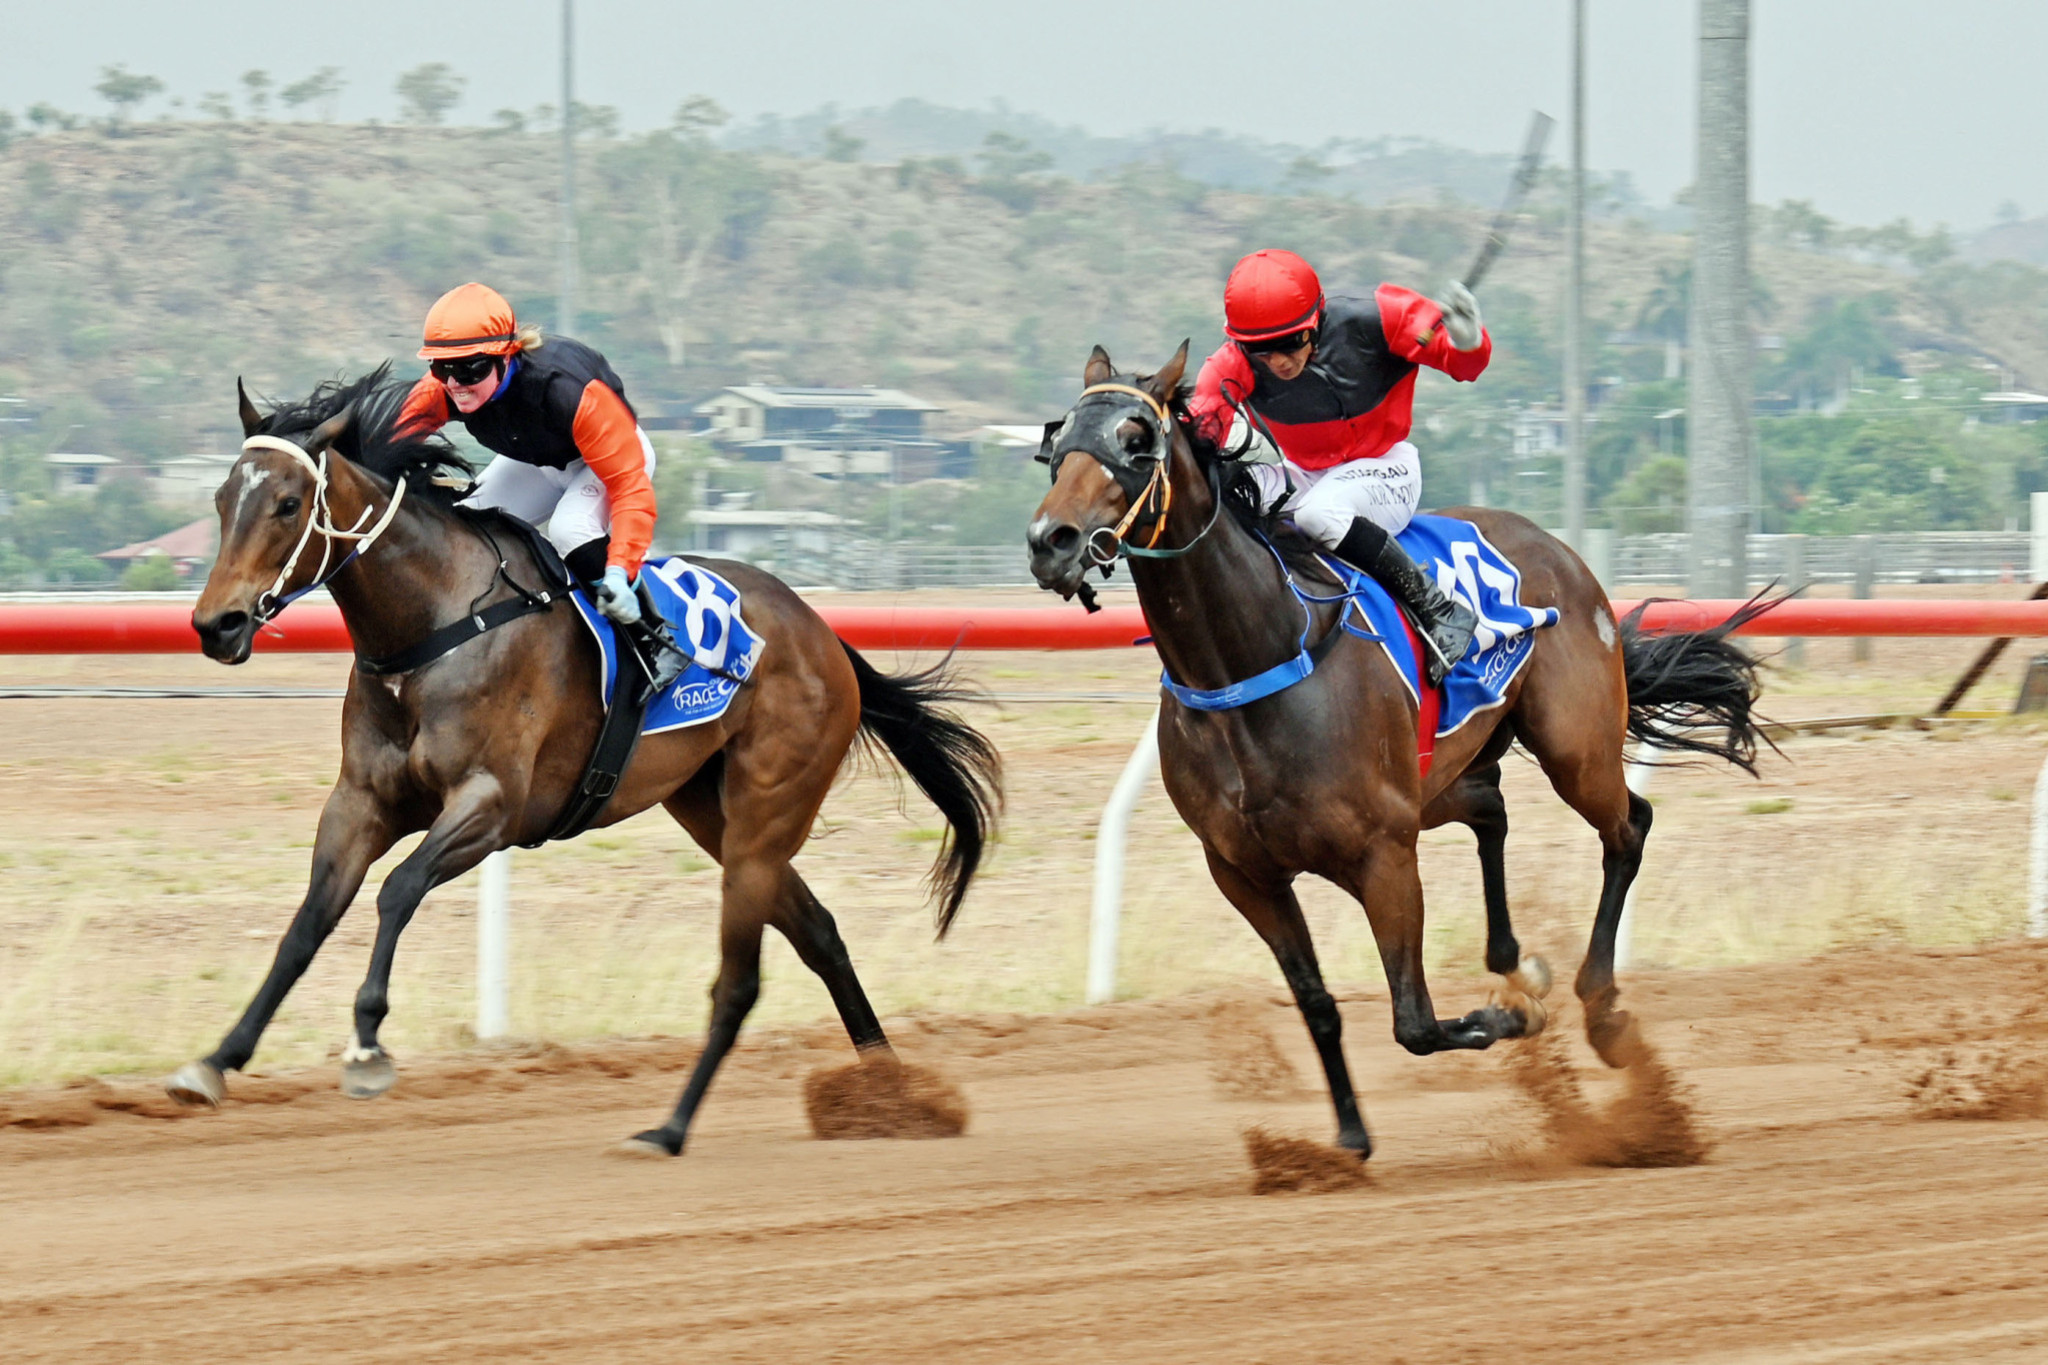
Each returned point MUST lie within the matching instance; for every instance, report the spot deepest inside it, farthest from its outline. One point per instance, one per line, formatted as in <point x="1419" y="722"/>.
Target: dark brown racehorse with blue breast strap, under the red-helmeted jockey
<point x="1324" y="775"/>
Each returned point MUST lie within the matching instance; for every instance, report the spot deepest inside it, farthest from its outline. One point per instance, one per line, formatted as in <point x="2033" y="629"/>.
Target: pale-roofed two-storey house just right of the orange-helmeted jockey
<point x="833" y="433"/>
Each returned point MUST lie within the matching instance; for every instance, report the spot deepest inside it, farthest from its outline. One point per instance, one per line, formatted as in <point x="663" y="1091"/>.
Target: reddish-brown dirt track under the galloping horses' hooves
<point x="1099" y="1208"/>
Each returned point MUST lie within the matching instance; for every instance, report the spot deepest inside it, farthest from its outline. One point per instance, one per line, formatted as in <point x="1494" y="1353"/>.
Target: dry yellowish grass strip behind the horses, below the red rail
<point x="151" y="854"/>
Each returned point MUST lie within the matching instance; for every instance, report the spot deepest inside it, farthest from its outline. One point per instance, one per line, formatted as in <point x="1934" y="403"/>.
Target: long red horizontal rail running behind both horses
<point x="316" y="627"/>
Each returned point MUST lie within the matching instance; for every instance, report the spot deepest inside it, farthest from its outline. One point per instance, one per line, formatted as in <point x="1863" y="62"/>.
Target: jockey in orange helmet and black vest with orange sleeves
<point x="572" y="457"/>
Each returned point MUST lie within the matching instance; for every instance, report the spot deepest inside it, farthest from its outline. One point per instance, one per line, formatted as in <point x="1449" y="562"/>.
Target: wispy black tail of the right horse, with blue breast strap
<point x="1697" y="691"/>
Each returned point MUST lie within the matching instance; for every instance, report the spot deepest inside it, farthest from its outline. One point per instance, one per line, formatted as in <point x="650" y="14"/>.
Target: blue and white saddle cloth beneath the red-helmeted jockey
<point x="1471" y="570"/>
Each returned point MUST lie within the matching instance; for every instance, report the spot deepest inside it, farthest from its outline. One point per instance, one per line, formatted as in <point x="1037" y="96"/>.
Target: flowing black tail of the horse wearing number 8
<point x="951" y="762"/>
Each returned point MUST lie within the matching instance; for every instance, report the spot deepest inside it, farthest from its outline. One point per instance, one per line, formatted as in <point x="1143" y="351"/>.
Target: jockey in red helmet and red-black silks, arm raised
<point x="1332" y="382"/>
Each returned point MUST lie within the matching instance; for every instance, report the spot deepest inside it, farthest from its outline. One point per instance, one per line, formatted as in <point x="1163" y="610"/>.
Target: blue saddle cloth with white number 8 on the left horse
<point x="703" y="615"/>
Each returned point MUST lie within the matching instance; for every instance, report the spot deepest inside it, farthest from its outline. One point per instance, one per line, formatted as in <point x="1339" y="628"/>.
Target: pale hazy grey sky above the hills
<point x="1873" y="109"/>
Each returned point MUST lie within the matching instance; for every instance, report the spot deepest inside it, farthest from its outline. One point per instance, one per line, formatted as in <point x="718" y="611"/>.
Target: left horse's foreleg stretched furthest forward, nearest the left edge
<point x="353" y="834"/>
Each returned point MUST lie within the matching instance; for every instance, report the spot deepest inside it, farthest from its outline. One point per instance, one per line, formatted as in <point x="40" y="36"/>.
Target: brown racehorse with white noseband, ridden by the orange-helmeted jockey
<point x="486" y="744"/>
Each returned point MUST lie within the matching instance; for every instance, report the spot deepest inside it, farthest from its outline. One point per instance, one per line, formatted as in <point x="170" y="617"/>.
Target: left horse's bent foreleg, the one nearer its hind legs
<point x="470" y="828"/>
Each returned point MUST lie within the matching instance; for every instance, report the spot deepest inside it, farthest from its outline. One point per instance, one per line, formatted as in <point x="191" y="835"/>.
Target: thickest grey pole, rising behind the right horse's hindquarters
<point x="1721" y="443"/>
